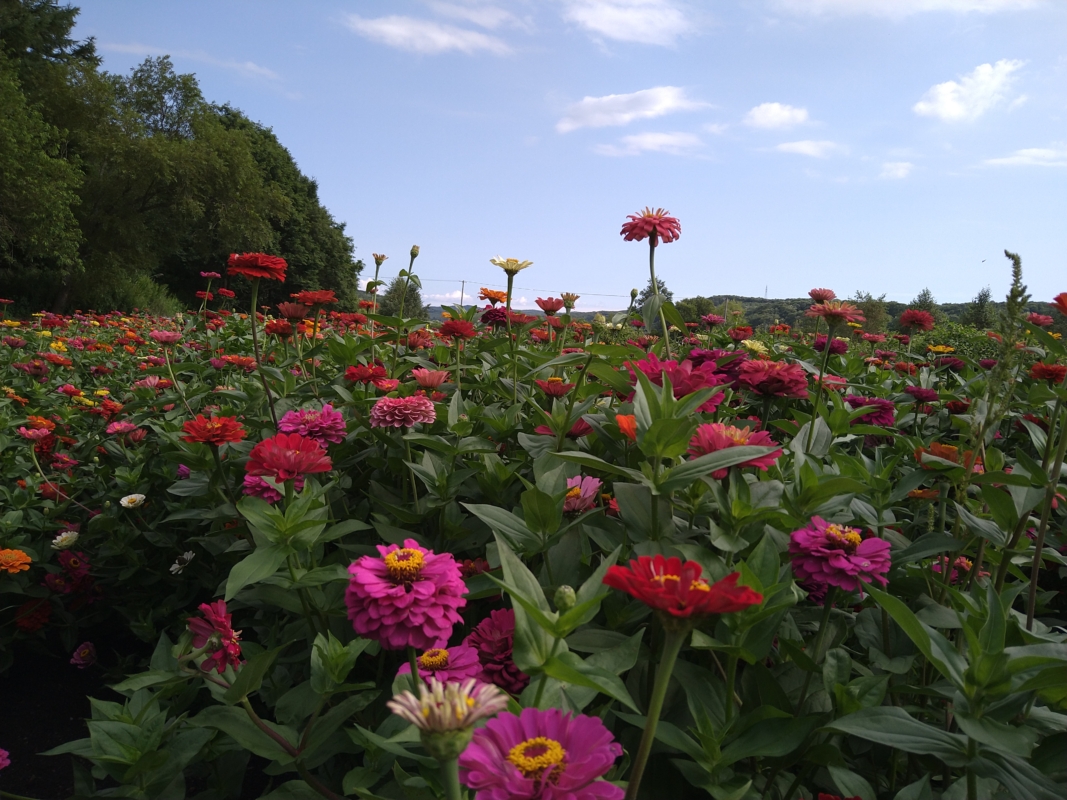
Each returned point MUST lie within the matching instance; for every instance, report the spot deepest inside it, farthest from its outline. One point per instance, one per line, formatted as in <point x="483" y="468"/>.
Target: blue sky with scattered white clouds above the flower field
<point x="884" y="146"/>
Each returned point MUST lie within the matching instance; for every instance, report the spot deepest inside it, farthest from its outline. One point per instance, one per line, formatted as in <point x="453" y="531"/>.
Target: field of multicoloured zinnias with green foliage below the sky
<point x="517" y="556"/>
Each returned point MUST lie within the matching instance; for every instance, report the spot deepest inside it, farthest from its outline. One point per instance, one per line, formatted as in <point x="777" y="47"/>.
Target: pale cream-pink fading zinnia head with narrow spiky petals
<point x="449" y="707"/>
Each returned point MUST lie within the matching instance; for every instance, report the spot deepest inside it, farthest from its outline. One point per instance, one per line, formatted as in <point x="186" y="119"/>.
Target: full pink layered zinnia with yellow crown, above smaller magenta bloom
<point x="410" y="597"/>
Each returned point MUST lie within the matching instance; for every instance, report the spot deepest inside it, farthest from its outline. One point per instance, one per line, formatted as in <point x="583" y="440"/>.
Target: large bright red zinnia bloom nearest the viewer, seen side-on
<point x="676" y="589"/>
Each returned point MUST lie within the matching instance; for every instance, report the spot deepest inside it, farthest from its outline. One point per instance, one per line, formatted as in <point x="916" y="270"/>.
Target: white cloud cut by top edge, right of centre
<point x="647" y="22"/>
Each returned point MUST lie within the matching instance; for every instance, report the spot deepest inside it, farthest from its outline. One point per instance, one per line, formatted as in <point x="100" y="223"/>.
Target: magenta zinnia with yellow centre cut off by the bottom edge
<point x="542" y="756"/>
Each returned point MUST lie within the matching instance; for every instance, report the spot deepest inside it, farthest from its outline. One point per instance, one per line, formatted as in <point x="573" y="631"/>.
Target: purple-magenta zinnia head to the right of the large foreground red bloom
<point x="829" y="554"/>
